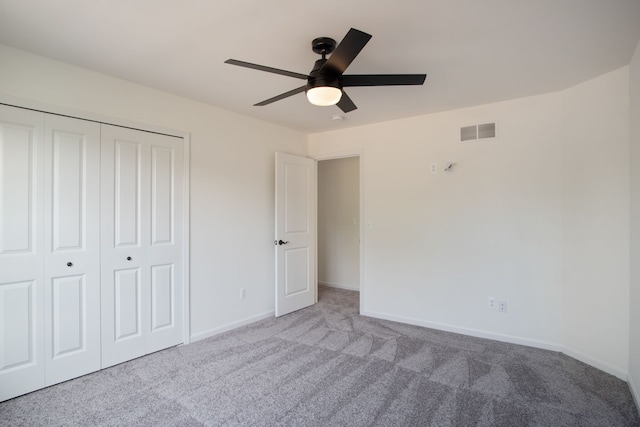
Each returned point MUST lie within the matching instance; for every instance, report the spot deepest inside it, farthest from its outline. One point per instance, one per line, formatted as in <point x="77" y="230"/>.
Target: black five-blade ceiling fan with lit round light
<point x="326" y="81"/>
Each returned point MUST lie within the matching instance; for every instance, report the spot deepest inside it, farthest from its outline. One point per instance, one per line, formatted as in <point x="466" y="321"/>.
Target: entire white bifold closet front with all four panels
<point x="91" y="247"/>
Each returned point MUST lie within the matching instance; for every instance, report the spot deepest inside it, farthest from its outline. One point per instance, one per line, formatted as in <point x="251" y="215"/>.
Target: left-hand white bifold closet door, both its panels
<point x="49" y="249"/>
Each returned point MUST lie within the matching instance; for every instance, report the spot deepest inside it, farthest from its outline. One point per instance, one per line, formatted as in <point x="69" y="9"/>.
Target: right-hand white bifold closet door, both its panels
<point x="142" y="258"/>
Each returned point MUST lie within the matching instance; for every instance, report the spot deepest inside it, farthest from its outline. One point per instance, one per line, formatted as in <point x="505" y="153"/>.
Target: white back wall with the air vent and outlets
<point x="436" y="246"/>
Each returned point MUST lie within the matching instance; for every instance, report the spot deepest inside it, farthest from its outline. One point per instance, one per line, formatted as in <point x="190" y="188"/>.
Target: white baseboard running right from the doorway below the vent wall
<point x="507" y="338"/>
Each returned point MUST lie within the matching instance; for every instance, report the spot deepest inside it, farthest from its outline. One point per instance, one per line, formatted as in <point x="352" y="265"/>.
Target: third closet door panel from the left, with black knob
<point x="125" y="288"/>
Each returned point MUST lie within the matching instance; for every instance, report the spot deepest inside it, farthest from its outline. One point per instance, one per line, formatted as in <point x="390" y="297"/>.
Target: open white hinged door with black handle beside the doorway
<point x="296" y="200"/>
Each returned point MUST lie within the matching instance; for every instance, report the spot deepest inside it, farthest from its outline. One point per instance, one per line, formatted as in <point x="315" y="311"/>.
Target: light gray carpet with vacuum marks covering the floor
<point x="328" y="366"/>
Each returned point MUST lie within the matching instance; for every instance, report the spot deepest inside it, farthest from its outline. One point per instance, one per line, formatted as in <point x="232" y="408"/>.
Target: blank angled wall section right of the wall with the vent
<point x="595" y="212"/>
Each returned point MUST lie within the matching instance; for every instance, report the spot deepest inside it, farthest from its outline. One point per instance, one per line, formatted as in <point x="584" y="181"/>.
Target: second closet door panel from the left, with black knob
<point x="72" y="248"/>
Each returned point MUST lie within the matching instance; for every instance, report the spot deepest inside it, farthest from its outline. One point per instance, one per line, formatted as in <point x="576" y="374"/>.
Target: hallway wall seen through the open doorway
<point x="339" y="223"/>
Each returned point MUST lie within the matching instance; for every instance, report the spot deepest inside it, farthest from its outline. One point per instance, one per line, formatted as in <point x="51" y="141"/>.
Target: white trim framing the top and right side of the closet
<point x="59" y="110"/>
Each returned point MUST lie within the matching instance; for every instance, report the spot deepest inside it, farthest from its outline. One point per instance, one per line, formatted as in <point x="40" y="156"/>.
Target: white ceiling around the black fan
<point x="474" y="52"/>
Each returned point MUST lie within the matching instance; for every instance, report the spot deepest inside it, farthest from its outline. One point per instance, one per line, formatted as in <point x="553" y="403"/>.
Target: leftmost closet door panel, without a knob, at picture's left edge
<point x="21" y="251"/>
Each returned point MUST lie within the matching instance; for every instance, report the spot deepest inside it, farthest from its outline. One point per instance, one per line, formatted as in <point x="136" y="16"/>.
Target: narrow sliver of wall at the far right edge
<point x="634" y="324"/>
